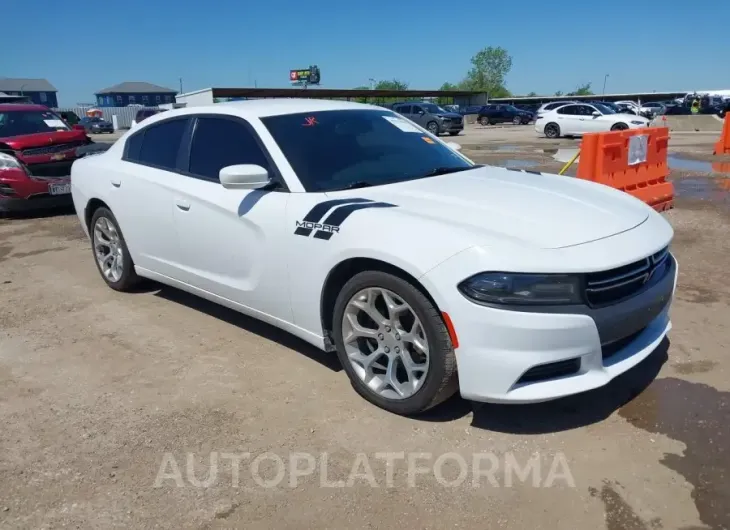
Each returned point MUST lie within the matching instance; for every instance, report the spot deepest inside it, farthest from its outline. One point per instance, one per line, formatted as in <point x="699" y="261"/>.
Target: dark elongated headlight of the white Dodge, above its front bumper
<point x="522" y="289"/>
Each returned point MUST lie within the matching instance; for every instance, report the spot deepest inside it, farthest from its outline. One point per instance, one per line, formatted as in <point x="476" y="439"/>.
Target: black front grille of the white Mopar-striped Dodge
<point x="612" y="286"/>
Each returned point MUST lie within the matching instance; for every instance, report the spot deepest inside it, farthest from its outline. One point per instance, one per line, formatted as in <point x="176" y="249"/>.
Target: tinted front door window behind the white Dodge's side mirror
<point x="218" y="143"/>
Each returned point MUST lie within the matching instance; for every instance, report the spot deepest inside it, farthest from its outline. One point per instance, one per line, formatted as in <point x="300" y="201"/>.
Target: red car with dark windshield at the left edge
<point x="37" y="148"/>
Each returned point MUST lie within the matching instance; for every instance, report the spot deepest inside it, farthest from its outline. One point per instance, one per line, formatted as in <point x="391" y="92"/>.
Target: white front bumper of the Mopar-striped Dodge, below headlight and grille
<point x="509" y="356"/>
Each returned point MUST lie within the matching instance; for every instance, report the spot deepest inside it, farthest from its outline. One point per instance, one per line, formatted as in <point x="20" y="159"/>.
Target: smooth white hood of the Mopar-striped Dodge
<point x="490" y="205"/>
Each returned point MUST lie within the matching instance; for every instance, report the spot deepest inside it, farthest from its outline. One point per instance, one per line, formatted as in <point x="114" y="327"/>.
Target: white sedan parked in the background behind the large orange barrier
<point x="577" y="119"/>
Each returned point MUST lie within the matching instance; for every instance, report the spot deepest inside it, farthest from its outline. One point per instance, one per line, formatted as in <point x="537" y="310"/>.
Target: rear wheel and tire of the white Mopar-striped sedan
<point x="110" y="251"/>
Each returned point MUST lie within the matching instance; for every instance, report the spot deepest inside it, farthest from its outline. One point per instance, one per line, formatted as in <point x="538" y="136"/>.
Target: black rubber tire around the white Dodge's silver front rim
<point x="441" y="380"/>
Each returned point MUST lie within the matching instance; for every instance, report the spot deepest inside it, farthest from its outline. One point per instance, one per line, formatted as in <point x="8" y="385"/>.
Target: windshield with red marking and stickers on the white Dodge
<point x="339" y="149"/>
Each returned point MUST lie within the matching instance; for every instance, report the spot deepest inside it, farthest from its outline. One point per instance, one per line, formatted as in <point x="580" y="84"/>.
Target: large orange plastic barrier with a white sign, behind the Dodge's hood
<point x="604" y="158"/>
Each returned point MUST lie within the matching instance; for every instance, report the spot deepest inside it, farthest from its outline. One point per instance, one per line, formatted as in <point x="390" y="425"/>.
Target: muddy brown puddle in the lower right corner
<point x="697" y="415"/>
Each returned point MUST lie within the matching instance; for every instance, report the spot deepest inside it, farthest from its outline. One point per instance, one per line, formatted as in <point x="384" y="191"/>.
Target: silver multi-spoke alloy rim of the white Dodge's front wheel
<point x="385" y="343"/>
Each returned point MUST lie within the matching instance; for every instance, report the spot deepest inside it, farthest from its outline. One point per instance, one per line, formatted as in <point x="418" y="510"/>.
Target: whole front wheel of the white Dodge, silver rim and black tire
<point x="393" y="343"/>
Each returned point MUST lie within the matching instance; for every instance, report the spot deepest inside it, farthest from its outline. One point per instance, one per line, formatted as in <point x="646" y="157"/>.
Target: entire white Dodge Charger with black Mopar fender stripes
<point x="353" y="228"/>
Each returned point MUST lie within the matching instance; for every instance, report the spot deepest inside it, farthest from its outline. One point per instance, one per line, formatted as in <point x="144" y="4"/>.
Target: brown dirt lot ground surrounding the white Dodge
<point x="103" y="396"/>
